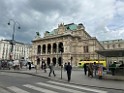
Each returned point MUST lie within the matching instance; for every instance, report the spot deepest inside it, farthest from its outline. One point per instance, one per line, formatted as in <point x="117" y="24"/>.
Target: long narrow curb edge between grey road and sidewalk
<point x="61" y="80"/>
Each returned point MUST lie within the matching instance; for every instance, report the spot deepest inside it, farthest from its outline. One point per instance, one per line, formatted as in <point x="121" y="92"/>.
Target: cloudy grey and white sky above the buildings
<point x="103" y="19"/>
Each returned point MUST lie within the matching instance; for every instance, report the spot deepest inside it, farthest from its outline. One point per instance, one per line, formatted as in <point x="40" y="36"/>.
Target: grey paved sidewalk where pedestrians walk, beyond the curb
<point x="78" y="77"/>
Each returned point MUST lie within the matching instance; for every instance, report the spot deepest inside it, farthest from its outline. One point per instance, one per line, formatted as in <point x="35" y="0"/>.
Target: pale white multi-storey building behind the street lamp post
<point x="20" y="50"/>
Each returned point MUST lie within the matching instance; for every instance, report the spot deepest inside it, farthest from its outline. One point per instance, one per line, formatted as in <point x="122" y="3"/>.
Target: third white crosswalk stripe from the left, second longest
<point x="60" y="88"/>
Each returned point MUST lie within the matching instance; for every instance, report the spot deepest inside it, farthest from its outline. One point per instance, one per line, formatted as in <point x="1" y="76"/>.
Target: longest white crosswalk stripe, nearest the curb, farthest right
<point x="78" y="87"/>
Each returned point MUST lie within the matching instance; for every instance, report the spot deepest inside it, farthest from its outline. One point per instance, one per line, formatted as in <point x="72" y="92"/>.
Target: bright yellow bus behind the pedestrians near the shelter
<point x="81" y="63"/>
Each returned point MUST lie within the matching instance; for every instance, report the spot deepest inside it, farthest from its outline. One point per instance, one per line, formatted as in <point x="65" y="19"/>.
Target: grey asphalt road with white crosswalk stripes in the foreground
<point x="22" y="83"/>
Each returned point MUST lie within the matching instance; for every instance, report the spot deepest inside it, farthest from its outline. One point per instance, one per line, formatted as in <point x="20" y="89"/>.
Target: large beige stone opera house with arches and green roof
<point x="67" y="43"/>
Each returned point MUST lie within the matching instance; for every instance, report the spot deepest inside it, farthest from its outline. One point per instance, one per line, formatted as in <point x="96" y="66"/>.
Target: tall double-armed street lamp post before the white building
<point x="12" y="41"/>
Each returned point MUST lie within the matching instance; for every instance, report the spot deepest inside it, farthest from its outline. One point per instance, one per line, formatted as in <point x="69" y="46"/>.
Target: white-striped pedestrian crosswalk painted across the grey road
<point x="52" y="87"/>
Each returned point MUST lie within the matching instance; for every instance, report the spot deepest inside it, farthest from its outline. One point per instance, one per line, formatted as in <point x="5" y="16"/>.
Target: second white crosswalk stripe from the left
<point x="39" y="89"/>
